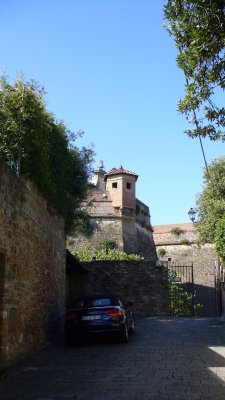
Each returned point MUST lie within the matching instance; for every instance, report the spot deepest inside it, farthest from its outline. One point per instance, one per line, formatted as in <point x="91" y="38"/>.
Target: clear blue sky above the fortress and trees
<point x="109" y="69"/>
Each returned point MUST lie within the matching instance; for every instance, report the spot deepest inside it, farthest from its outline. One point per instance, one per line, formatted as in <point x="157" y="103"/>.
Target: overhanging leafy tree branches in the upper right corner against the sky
<point x="198" y="29"/>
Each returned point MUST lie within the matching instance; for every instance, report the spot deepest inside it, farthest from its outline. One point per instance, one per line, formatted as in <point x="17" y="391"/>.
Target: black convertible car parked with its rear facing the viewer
<point x="99" y="315"/>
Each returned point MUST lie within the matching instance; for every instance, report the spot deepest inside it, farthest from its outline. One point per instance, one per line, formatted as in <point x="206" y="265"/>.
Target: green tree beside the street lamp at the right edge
<point x="211" y="202"/>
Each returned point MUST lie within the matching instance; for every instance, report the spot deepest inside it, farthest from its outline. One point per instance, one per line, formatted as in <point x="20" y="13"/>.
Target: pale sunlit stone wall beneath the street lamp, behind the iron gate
<point x="205" y="268"/>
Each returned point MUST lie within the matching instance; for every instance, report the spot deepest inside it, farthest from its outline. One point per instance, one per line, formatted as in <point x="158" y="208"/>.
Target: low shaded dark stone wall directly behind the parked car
<point x="144" y="283"/>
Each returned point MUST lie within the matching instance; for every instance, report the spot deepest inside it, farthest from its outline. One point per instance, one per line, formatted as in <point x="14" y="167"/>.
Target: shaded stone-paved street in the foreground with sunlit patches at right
<point x="165" y="359"/>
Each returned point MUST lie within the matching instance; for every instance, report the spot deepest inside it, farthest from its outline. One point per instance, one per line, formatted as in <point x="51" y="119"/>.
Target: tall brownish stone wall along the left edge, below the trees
<point x="32" y="267"/>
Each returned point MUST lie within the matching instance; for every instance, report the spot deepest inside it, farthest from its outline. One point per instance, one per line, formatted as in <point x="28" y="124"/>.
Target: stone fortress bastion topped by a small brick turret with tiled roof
<point x="116" y="214"/>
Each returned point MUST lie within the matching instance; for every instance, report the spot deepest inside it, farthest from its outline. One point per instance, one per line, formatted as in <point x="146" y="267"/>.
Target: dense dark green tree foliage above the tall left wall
<point x="34" y="143"/>
